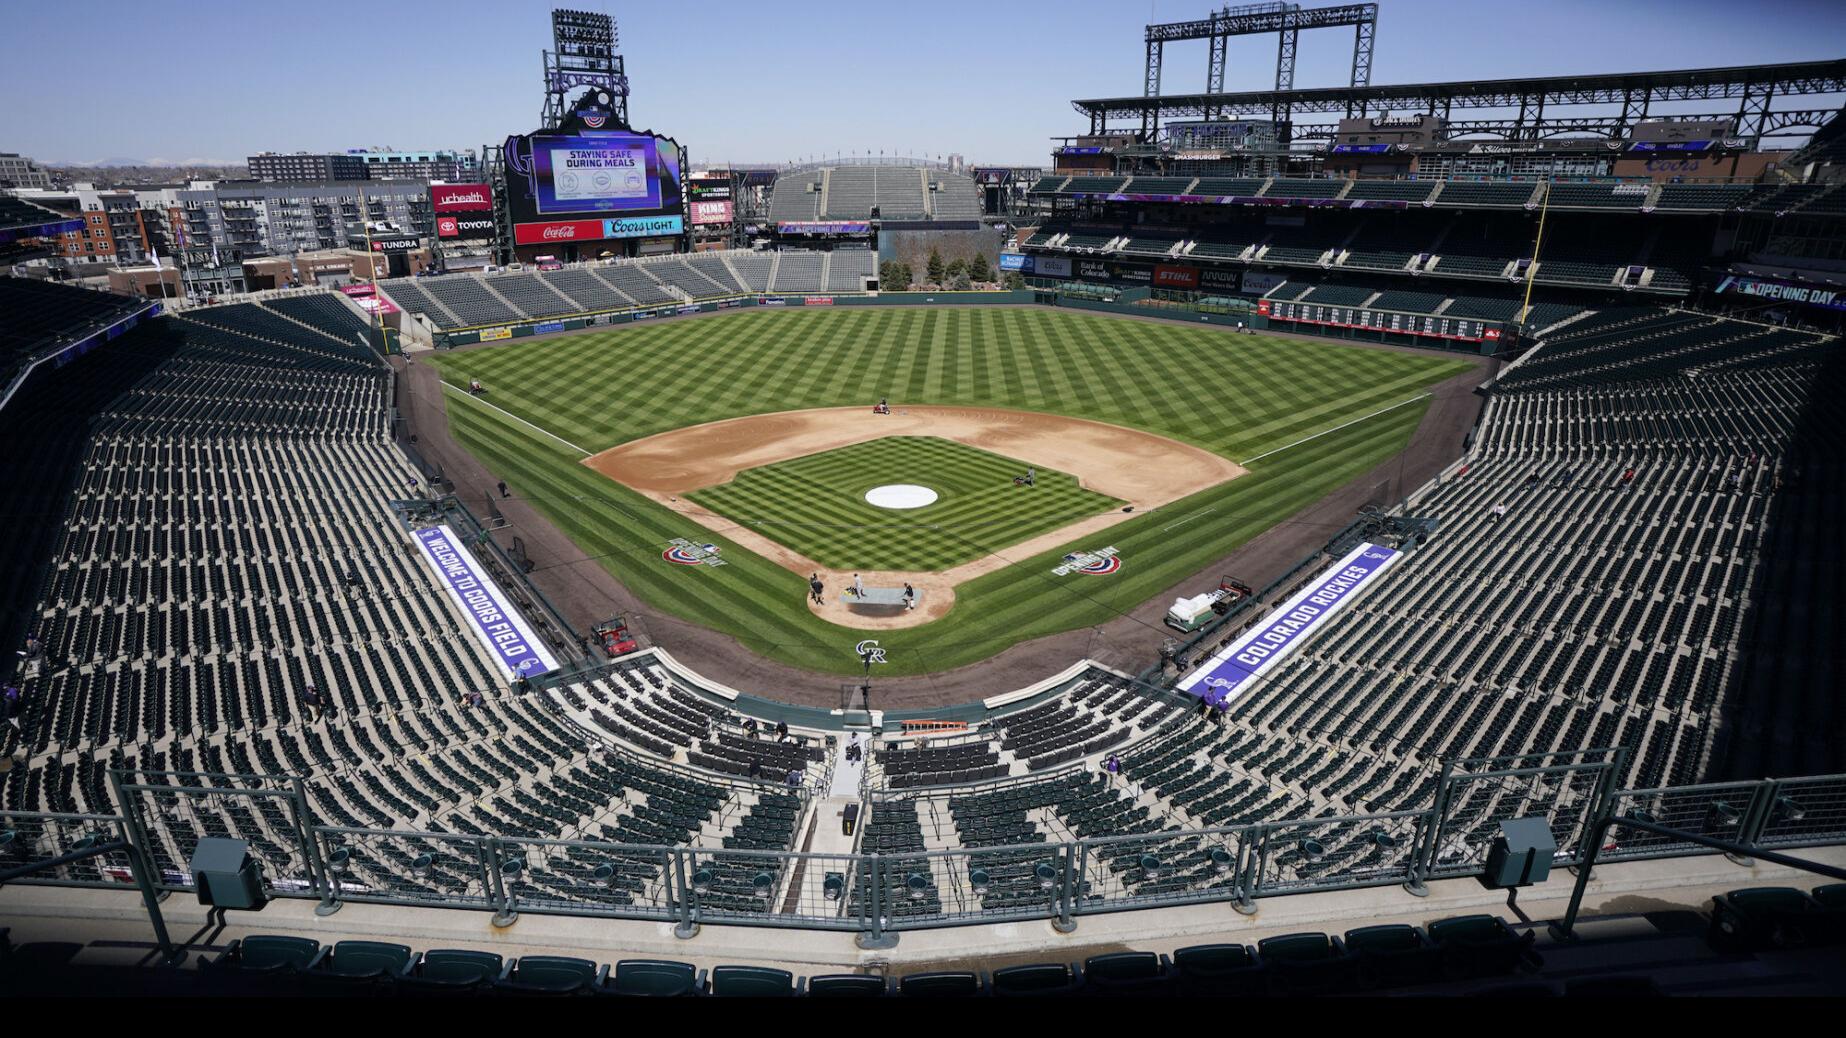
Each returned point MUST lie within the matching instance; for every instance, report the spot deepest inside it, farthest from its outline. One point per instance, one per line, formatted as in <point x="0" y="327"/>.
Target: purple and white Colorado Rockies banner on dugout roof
<point x="1238" y="666"/>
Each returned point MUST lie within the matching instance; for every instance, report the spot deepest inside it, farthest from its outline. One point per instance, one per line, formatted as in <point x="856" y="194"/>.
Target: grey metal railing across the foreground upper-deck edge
<point x="880" y="895"/>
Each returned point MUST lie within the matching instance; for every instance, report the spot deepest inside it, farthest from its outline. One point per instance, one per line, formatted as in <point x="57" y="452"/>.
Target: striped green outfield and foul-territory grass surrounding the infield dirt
<point x="1236" y="396"/>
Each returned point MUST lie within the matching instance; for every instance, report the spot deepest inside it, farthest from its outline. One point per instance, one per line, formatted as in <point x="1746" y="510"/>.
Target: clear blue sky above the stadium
<point x="767" y="80"/>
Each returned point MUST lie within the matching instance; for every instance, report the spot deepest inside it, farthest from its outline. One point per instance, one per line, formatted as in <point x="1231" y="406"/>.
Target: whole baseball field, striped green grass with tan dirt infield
<point x="752" y="433"/>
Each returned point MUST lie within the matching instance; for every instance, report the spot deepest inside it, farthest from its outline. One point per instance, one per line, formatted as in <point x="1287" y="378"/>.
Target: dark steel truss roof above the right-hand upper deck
<point x="1755" y="88"/>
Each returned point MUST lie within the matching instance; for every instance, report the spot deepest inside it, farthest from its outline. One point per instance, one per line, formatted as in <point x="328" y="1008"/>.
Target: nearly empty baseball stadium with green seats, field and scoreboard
<point x="1345" y="540"/>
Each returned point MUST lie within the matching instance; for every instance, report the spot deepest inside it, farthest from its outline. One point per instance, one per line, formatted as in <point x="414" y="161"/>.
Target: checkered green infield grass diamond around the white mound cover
<point x="817" y="505"/>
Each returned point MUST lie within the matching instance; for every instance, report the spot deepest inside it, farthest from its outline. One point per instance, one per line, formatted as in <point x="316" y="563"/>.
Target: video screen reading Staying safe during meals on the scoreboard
<point x="595" y="175"/>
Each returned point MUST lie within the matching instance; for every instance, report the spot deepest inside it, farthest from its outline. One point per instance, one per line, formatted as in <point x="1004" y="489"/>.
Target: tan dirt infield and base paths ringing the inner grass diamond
<point x="1140" y="468"/>
